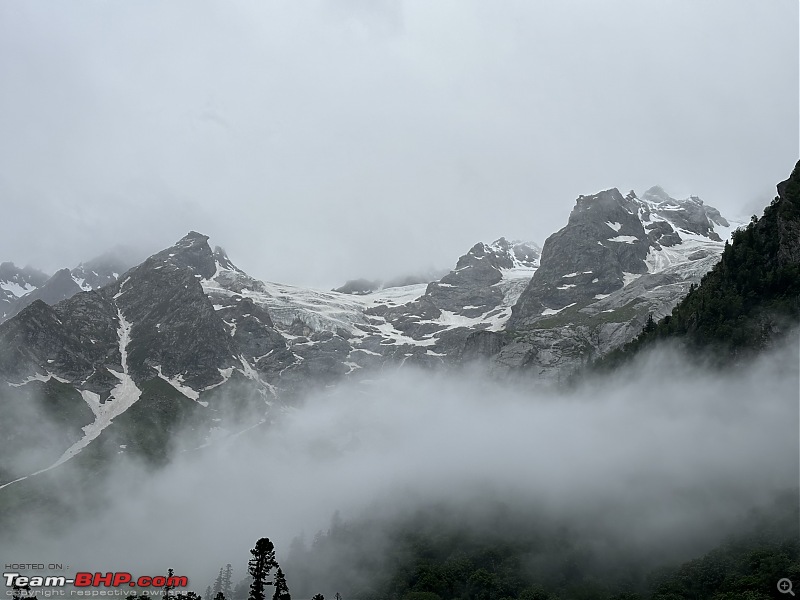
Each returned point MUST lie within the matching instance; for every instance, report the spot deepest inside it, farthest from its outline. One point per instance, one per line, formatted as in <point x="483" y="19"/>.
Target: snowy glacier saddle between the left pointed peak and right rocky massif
<point x="332" y="334"/>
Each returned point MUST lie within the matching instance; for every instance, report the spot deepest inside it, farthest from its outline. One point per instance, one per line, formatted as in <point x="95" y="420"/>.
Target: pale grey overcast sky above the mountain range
<point x="321" y="141"/>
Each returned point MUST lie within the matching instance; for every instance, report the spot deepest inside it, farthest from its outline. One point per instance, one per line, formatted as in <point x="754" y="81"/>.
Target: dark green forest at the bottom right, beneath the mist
<point x="433" y="555"/>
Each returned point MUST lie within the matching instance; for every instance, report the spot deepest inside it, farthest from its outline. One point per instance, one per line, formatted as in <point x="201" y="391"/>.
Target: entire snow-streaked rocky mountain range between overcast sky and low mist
<point x="187" y="340"/>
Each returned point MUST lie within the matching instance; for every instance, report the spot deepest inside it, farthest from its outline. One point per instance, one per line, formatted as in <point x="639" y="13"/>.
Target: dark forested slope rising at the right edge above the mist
<point x="751" y="297"/>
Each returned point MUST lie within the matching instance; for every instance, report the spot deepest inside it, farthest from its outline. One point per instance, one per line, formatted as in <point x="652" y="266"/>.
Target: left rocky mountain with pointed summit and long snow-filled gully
<point x="143" y="348"/>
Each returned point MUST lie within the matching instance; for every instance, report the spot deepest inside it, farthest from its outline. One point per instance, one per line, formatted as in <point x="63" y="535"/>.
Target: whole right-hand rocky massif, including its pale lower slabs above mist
<point x="618" y="260"/>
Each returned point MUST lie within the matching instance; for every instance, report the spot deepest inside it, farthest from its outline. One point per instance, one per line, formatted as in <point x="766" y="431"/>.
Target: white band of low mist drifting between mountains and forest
<point x="660" y="455"/>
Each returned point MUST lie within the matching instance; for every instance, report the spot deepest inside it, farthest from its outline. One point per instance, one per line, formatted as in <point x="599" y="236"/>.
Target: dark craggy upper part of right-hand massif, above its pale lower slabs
<point x="609" y="241"/>
